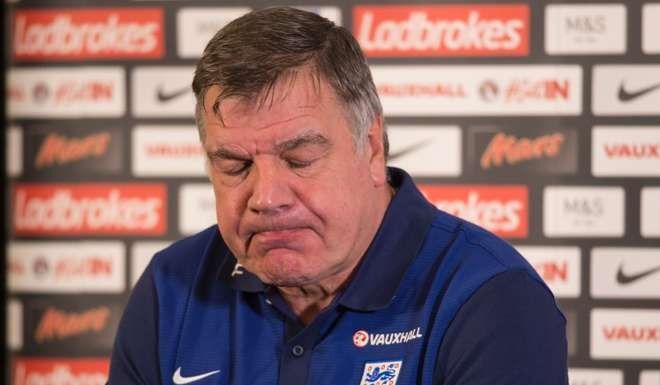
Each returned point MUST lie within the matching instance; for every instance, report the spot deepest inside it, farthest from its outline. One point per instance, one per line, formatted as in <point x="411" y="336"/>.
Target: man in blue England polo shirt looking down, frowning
<point x="328" y="268"/>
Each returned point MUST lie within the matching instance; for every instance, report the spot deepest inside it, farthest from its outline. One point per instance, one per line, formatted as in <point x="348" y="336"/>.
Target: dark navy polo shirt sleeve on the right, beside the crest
<point x="510" y="332"/>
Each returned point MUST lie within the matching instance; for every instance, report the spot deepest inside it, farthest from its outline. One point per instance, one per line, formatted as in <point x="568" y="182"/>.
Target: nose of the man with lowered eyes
<point x="271" y="193"/>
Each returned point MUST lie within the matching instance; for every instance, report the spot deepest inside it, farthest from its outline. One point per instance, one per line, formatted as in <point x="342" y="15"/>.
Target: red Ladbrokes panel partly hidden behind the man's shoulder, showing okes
<point x="500" y="209"/>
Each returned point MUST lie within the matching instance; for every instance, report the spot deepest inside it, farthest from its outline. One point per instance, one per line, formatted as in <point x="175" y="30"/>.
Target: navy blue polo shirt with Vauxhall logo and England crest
<point x="434" y="300"/>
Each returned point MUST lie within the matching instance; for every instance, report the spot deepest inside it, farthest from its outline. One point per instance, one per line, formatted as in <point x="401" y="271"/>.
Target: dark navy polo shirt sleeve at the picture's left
<point x="134" y="357"/>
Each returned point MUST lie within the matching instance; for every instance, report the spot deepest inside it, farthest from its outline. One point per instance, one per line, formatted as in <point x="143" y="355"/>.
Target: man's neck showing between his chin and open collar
<point x="307" y="301"/>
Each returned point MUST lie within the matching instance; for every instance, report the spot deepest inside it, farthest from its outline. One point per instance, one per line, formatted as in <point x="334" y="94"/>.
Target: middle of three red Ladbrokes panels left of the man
<point x="129" y="209"/>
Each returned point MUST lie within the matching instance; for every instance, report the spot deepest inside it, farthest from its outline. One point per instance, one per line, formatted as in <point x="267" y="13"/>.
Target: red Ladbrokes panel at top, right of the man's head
<point x="443" y="30"/>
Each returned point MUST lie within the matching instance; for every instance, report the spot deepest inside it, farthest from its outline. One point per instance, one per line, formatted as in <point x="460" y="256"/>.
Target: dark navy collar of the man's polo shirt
<point x="396" y="243"/>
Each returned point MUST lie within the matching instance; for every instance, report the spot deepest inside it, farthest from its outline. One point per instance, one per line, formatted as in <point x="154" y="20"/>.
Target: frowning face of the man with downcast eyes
<point x="296" y="202"/>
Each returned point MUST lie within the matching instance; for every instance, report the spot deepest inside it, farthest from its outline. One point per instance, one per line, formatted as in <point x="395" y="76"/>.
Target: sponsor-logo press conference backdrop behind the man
<point x="538" y="120"/>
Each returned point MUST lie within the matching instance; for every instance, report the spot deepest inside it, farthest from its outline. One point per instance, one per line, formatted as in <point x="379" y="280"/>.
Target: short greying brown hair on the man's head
<point x="252" y="53"/>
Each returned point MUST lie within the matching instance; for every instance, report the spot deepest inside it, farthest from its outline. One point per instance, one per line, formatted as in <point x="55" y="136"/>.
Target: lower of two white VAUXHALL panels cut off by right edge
<point x="625" y="333"/>
